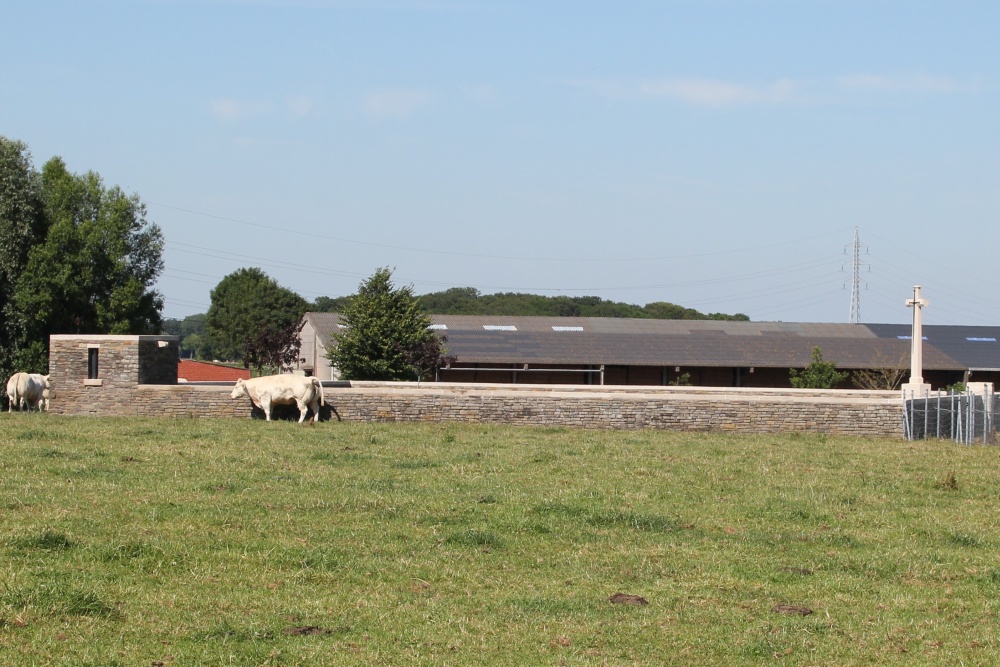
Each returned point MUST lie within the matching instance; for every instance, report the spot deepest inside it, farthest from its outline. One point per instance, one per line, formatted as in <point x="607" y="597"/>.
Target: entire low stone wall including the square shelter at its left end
<point x="137" y="375"/>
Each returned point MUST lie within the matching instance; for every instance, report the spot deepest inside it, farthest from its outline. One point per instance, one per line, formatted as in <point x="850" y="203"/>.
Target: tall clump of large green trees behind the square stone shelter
<point x="76" y="256"/>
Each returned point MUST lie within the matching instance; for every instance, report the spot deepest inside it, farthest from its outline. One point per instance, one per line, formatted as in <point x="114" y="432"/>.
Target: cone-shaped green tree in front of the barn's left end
<point x="387" y="335"/>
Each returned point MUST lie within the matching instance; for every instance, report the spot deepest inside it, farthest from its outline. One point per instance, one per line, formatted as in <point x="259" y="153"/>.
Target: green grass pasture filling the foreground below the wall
<point x="225" y="542"/>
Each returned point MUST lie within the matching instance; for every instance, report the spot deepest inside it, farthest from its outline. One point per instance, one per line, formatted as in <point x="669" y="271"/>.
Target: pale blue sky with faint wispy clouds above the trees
<point x="723" y="155"/>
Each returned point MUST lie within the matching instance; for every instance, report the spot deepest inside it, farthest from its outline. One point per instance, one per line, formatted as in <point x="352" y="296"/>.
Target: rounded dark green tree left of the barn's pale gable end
<point x="244" y="304"/>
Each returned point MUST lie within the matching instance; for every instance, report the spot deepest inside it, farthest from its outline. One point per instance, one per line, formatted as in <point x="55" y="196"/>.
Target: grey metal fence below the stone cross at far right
<point x="968" y="417"/>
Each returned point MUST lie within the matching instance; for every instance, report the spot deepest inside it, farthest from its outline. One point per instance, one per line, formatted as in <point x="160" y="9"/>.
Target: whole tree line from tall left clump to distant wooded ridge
<point x="80" y="257"/>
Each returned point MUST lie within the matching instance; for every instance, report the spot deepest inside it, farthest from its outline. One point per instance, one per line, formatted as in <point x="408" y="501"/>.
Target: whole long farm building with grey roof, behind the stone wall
<point x="611" y="351"/>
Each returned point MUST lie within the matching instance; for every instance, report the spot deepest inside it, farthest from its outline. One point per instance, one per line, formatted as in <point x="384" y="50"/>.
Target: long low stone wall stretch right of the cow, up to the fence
<point x="738" y="410"/>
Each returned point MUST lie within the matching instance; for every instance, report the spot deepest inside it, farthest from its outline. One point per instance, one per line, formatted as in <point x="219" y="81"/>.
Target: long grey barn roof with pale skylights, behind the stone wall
<point x="496" y="339"/>
